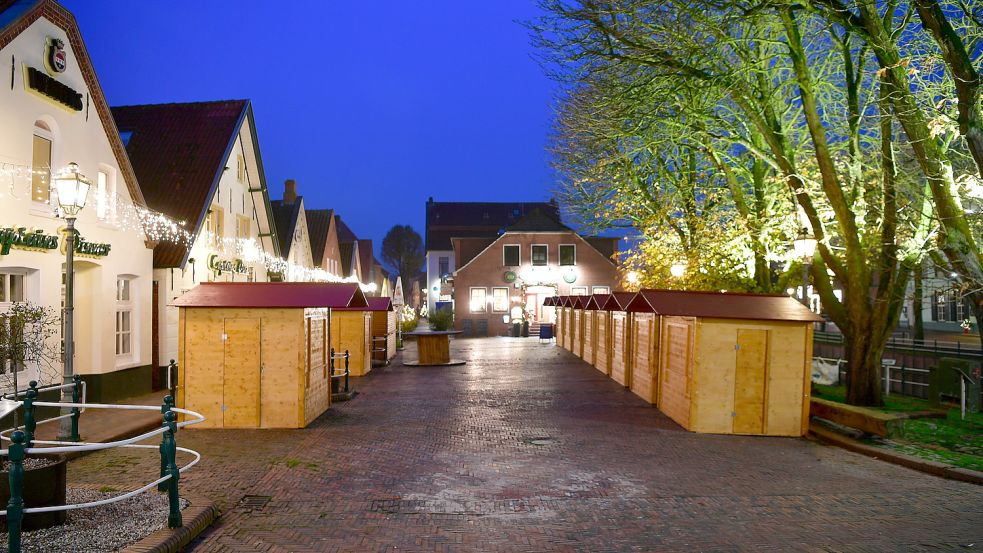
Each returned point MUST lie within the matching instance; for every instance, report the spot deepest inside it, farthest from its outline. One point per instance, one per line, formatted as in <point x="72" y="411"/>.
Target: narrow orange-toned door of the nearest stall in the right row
<point x="749" y="381"/>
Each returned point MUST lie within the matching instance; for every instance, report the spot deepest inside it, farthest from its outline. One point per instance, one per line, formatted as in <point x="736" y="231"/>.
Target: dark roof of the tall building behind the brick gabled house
<point x="446" y="220"/>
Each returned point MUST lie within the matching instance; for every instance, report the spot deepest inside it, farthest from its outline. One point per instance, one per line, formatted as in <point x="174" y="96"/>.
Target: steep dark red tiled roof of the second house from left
<point x="179" y="152"/>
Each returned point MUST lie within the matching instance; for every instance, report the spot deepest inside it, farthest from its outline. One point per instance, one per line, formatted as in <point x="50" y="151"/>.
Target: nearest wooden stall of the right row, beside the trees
<point x="730" y="363"/>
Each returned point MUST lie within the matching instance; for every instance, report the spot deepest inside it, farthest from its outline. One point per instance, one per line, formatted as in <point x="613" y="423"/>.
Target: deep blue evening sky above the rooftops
<point x="371" y="106"/>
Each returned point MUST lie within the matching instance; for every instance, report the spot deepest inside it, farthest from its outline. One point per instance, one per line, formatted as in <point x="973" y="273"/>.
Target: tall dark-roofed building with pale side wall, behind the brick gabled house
<point x="447" y="220"/>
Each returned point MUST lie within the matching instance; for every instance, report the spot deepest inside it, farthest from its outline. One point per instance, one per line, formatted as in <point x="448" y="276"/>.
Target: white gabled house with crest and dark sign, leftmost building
<point x="53" y="113"/>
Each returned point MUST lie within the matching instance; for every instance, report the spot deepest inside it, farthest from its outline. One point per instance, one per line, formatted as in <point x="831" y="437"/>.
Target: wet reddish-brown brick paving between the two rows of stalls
<point x="528" y="449"/>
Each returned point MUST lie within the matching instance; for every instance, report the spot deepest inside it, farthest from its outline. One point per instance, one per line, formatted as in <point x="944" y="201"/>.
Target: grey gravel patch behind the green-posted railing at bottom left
<point x="107" y="528"/>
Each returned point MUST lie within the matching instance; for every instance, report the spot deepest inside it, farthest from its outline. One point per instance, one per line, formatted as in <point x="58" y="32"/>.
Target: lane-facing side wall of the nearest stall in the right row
<point x="676" y="361"/>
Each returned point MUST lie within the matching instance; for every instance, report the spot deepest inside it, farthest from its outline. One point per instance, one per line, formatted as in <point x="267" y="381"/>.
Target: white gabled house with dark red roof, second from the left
<point x="200" y="163"/>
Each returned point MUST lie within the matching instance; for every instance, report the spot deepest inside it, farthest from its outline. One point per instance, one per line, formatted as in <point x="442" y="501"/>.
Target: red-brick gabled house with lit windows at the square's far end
<point x="509" y="276"/>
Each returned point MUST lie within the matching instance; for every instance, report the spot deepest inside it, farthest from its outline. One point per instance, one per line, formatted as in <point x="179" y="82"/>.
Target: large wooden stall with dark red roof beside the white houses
<point x="255" y="355"/>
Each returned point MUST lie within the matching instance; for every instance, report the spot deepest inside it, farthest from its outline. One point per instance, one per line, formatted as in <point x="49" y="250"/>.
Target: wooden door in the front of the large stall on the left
<point x="242" y="373"/>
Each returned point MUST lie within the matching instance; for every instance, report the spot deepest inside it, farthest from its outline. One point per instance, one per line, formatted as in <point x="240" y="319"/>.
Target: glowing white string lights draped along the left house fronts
<point x="158" y="227"/>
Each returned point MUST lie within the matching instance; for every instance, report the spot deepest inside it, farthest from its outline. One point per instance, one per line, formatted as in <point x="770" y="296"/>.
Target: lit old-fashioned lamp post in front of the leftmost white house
<point x="72" y="188"/>
